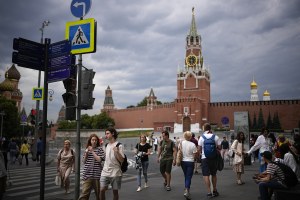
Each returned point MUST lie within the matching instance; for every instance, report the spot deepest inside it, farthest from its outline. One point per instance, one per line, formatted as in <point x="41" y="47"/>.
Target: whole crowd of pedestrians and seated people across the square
<point x="102" y="162"/>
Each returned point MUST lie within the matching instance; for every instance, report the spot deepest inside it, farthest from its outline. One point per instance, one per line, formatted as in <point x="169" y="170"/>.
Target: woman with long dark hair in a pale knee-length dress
<point x="238" y="160"/>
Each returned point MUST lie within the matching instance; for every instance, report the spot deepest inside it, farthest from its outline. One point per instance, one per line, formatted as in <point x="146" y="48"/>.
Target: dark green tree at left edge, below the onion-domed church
<point x="11" y="119"/>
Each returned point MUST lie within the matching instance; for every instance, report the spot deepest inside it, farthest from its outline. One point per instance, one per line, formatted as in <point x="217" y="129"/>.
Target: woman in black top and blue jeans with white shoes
<point x="142" y="151"/>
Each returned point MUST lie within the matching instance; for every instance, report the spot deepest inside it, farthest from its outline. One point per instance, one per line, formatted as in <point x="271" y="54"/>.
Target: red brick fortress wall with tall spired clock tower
<point x="192" y="106"/>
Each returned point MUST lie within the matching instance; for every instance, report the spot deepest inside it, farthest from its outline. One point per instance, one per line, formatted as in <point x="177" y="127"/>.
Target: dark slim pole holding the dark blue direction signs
<point x="44" y="127"/>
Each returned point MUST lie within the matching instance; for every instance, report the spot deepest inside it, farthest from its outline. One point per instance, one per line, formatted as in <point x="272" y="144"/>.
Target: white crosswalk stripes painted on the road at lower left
<point x="25" y="183"/>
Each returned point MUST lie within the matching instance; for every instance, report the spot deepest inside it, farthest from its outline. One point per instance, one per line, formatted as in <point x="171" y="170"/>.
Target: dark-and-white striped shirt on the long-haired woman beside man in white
<point x="92" y="168"/>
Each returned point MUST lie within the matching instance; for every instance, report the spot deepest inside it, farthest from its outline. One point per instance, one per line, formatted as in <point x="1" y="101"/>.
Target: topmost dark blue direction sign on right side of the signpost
<point x="59" y="48"/>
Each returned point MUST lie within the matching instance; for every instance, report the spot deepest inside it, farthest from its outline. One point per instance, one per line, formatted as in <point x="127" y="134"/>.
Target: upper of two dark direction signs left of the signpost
<point x="28" y="47"/>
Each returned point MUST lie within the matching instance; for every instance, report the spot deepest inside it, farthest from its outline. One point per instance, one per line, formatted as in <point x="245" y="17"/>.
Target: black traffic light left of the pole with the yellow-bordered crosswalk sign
<point x="70" y="96"/>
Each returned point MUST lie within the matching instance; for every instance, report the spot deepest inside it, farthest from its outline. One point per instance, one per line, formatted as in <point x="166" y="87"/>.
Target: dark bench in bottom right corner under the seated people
<point x="290" y="194"/>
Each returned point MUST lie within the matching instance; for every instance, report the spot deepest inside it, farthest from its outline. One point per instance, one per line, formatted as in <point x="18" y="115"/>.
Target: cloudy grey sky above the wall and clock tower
<point x="141" y="43"/>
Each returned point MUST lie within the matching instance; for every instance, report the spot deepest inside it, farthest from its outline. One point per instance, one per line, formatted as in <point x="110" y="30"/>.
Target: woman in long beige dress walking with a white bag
<point x="66" y="165"/>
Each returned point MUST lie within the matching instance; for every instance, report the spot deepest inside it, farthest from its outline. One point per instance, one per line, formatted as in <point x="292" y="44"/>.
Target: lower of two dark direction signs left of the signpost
<point x="28" y="61"/>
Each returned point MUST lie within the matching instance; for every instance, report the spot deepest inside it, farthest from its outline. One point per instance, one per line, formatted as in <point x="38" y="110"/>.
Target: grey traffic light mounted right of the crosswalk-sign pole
<point x="87" y="88"/>
